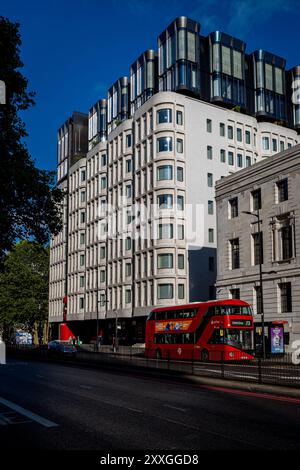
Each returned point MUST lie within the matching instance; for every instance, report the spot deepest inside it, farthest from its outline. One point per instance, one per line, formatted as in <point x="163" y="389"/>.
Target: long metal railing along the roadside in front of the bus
<point x="273" y="371"/>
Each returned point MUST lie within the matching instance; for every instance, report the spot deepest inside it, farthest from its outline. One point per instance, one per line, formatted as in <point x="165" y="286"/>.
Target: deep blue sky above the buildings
<point x="74" y="50"/>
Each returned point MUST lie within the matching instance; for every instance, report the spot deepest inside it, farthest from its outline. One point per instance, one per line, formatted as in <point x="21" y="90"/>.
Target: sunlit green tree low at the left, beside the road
<point x="24" y="286"/>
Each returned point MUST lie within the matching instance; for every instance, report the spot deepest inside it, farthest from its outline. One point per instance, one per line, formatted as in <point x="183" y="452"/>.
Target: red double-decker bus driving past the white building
<point x="206" y="331"/>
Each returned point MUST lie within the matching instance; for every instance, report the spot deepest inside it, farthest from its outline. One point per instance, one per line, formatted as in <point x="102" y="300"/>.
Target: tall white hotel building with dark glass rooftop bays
<point x="195" y="111"/>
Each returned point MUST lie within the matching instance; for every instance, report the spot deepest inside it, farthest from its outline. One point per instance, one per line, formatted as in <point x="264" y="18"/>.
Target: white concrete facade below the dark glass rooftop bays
<point x="110" y="276"/>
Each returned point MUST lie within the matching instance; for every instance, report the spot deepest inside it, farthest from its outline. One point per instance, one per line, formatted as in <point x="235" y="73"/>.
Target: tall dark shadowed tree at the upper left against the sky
<point x="29" y="201"/>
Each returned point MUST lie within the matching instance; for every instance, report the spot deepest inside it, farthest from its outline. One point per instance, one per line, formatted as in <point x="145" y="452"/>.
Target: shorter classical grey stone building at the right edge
<point x="270" y="190"/>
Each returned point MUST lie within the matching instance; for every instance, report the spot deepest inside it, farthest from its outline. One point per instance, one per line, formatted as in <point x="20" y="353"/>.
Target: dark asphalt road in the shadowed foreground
<point x="54" y="406"/>
